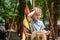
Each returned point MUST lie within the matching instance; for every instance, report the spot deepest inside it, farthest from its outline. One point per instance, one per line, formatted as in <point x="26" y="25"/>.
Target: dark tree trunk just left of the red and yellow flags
<point x="21" y="7"/>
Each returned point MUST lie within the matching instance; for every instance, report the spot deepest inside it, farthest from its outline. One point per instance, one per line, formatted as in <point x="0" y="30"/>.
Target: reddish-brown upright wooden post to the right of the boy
<point x="52" y="20"/>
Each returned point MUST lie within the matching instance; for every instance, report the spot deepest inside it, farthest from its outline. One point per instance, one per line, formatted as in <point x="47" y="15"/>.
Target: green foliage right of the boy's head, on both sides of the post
<point x="45" y="6"/>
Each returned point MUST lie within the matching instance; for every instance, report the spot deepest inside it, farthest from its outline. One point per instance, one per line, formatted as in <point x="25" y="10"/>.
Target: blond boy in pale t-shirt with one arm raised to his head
<point x="36" y="24"/>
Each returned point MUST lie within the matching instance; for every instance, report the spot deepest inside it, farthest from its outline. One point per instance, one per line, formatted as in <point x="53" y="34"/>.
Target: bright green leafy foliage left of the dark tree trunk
<point x="8" y="9"/>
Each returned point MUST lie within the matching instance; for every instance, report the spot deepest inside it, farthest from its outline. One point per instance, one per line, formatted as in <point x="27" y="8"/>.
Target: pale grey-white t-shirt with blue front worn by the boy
<point x="36" y="25"/>
